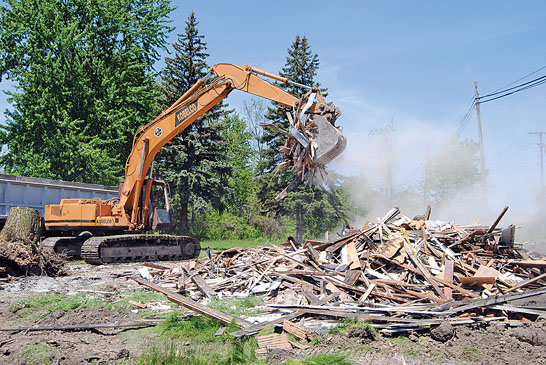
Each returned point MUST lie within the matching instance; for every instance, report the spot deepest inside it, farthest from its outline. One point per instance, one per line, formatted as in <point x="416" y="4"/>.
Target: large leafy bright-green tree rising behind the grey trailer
<point x="83" y="84"/>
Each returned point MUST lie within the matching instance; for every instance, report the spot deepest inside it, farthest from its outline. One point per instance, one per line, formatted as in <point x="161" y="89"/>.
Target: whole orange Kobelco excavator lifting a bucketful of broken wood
<point x="110" y="231"/>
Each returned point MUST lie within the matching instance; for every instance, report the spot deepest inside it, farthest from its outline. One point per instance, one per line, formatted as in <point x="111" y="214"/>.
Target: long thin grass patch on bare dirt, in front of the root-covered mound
<point x="40" y="307"/>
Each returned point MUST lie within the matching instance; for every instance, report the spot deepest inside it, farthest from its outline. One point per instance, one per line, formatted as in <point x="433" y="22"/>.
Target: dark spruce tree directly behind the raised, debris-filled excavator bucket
<point x="311" y="205"/>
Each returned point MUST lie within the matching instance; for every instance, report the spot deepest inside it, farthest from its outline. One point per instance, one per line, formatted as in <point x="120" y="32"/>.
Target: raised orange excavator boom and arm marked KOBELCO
<point x="204" y="95"/>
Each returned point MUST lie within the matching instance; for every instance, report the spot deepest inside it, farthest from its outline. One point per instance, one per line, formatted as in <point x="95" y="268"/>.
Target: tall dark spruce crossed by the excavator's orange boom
<point x="195" y="164"/>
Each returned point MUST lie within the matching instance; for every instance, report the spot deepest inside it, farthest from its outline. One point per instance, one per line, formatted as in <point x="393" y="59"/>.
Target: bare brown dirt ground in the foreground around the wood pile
<point x="483" y="344"/>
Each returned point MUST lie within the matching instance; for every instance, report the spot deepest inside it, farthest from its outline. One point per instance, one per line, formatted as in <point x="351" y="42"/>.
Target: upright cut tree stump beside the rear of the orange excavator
<point x="23" y="225"/>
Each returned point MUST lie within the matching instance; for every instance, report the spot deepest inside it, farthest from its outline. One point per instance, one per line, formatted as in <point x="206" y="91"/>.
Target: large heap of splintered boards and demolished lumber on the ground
<point x="399" y="274"/>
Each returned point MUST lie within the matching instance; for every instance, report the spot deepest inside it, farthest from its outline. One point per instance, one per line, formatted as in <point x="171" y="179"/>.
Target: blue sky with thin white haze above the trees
<point x="414" y="62"/>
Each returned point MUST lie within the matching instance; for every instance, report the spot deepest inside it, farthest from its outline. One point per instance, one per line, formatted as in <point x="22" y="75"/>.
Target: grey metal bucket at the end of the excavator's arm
<point x="330" y="141"/>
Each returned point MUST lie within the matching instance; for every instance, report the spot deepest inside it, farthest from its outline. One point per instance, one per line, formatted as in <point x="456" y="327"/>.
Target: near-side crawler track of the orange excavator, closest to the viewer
<point x="139" y="247"/>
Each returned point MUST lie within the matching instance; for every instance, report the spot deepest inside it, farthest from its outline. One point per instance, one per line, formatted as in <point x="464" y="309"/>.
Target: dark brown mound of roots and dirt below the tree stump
<point x="21" y="258"/>
